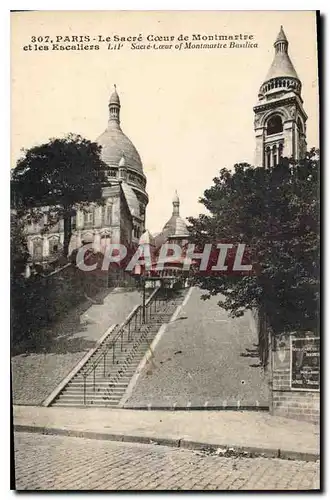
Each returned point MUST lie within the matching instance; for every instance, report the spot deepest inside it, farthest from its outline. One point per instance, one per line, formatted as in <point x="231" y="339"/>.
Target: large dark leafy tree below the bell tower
<point x="275" y="212"/>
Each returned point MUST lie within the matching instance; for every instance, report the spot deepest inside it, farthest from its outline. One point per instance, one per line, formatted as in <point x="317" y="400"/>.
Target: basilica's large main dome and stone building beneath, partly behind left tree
<point x="121" y="219"/>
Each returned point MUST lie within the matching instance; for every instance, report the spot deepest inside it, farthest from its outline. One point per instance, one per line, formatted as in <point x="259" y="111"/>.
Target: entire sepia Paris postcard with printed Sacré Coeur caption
<point x="165" y="250"/>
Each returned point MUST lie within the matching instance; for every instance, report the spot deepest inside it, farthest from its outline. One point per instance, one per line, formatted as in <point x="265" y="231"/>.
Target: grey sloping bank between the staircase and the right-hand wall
<point x="204" y="357"/>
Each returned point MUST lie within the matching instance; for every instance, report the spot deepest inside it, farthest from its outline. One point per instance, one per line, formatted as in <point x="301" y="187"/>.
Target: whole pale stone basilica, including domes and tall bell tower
<point x="280" y="130"/>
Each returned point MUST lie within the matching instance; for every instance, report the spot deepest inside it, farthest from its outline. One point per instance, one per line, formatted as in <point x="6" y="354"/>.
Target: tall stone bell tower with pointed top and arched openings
<point x="279" y="116"/>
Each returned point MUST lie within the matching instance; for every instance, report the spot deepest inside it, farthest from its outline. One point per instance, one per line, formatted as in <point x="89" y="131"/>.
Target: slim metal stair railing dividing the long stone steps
<point x="114" y="347"/>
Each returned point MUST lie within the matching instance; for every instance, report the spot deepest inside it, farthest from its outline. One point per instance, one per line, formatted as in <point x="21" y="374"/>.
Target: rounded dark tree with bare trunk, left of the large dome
<point x="57" y="178"/>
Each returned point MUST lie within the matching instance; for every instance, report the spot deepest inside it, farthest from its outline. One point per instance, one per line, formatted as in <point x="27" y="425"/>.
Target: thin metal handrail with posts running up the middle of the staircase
<point x="136" y="314"/>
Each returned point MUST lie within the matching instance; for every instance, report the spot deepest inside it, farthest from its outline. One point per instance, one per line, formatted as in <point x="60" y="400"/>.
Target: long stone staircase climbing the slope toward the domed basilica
<point x="103" y="380"/>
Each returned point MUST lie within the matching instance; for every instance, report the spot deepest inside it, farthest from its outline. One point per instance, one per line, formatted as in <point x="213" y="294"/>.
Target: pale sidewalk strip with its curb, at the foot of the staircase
<point x="255" y="432"/>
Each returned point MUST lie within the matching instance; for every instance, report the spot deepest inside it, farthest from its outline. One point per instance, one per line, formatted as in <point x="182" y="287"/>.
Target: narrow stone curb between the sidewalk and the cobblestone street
<point x="175" y="443"/>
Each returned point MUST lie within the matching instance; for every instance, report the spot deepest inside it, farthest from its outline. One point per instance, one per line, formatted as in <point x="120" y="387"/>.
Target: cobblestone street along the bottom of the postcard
<point x="68" y="463"/>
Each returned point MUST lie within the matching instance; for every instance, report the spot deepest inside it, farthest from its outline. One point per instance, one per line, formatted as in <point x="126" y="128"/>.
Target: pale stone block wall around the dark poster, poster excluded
<point x="286" y="400"/>
